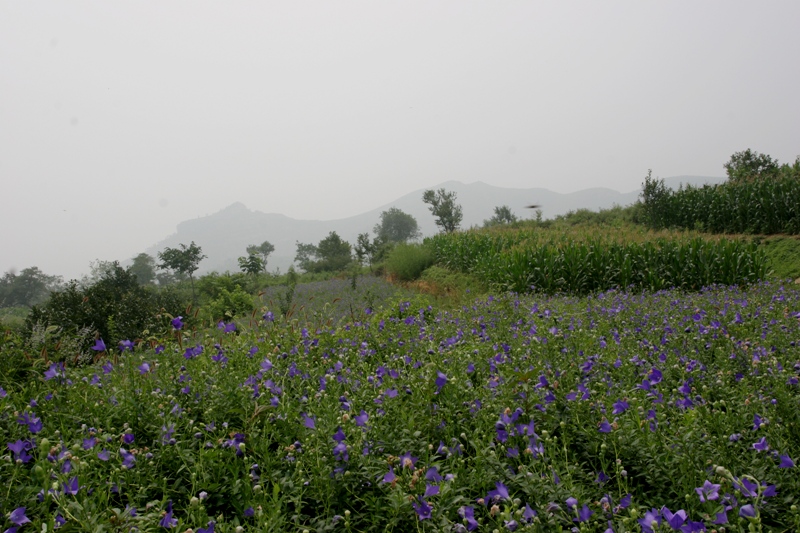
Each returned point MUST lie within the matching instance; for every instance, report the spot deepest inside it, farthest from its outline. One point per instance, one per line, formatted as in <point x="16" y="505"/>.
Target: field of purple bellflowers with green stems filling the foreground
<point x="665" y="411"/>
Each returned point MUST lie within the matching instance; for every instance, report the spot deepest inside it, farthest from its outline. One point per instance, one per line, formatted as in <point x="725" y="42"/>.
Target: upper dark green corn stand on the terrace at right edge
<point x="764" y="207"/>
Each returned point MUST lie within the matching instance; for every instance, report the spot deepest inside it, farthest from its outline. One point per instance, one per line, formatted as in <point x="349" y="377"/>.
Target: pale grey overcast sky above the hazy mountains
<point x="118" y="120"/>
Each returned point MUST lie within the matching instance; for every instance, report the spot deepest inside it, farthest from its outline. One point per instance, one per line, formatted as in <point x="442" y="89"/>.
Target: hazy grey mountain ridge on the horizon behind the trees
<point x="224" y="235"/>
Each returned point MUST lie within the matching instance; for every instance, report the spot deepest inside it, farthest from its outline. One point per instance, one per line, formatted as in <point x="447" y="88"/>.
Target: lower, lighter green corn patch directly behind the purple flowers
<point x="531" y="261"/>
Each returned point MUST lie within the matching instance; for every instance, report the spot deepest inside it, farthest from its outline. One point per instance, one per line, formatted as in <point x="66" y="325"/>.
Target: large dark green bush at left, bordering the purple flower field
<point x="116" y="308"/>
